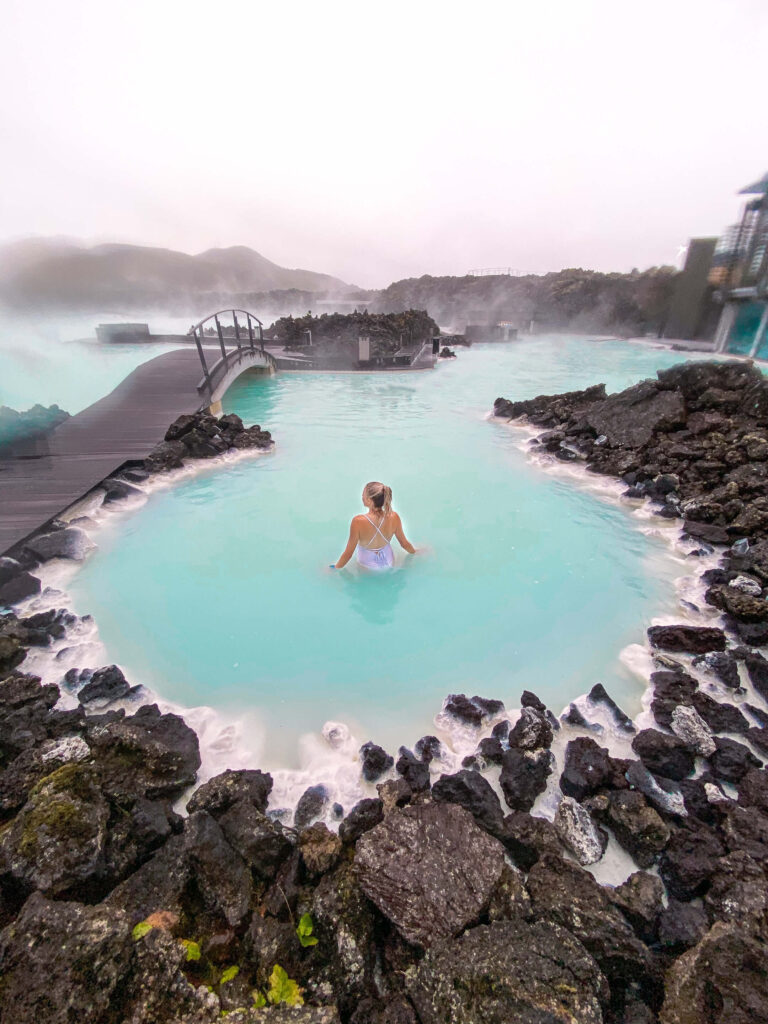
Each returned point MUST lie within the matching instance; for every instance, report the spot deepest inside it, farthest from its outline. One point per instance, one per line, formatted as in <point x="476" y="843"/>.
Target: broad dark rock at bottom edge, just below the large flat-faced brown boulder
<point x="505" y="972"/>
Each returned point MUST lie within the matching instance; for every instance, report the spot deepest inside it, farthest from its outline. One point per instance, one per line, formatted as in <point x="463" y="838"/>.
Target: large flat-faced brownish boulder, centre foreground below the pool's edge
<point x="430" y="870"/>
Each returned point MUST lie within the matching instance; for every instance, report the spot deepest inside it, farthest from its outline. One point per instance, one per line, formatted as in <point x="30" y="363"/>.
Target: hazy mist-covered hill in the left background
<point x="64" y="275"/>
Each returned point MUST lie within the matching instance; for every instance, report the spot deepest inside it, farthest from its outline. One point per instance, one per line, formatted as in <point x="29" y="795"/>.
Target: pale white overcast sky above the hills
<point x="376" y="142"/>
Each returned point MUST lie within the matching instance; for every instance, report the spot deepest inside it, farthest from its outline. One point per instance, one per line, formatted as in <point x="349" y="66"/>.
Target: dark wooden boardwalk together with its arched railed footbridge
<point x="124" y="426"/>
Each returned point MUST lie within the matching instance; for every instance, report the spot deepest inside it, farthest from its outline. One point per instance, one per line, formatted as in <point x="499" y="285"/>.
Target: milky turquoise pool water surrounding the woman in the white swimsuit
<point x="218" y="591"/>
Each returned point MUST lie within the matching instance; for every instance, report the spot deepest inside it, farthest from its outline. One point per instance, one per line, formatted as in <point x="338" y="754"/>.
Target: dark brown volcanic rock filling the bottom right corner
<point x="723" y="978"/>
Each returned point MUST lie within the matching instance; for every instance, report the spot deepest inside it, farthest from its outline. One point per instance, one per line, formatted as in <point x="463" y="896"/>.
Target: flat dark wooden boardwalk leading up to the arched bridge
<point x="123" y="426"/>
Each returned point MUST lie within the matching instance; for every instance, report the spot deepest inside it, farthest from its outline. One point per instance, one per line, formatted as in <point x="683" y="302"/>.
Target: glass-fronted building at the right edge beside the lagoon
<point x="741" y="273"/>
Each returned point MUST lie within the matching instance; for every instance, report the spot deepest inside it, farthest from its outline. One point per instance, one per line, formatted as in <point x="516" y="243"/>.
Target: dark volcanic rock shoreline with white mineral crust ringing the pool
<point x="431" y="902"/>
